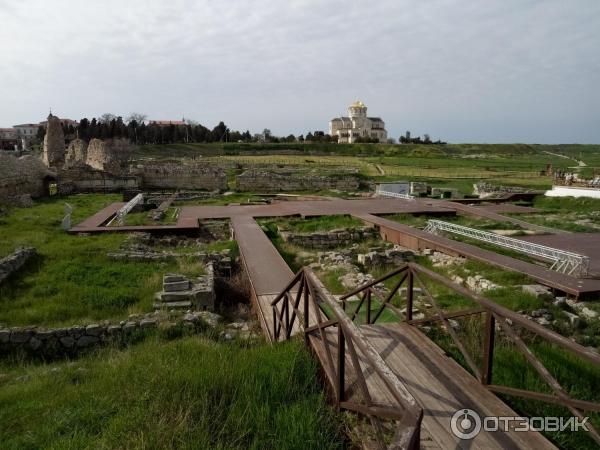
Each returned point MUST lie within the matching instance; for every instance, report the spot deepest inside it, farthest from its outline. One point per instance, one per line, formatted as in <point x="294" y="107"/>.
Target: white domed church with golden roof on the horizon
<point x="357" y="124"/>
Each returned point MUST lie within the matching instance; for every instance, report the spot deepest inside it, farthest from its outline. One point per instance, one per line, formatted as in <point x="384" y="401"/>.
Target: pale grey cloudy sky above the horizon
<point x="458" y="70"/>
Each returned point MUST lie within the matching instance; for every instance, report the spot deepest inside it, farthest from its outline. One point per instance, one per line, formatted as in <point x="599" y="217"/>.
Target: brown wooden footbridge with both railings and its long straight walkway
<point x="391" y="372"/>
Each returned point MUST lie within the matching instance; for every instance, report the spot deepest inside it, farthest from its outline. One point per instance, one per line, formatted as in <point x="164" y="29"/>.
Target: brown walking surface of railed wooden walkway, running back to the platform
<point x="438" y="383"/>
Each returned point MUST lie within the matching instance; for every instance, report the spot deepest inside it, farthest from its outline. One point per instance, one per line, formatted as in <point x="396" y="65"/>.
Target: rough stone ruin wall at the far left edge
<point x="26" y="175"/>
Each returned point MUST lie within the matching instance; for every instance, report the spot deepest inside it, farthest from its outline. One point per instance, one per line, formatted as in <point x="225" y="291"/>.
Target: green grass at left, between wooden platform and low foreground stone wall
<point x="72" y="280"/>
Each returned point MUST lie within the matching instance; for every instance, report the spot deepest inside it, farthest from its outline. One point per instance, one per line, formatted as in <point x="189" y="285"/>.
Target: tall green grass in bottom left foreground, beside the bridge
<point x="189" y="393"/>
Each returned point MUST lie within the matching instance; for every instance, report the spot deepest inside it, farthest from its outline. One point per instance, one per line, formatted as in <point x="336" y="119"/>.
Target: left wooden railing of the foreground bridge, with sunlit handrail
<point x="306" y="306"/>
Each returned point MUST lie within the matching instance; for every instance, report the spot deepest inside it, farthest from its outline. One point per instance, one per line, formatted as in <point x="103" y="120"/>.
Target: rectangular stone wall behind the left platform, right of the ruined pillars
<point x="173" y="176"/>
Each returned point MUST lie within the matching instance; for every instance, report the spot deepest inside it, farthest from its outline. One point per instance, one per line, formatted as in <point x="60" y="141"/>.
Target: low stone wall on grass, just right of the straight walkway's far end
<point x="330" y="239"/>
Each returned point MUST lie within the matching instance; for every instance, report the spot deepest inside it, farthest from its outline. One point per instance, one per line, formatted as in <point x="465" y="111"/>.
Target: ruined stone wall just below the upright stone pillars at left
<point x="82" y="179"/>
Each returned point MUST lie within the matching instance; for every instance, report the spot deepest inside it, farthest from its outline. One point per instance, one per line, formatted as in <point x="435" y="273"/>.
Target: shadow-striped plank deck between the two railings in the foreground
<point x="442" y="386"/>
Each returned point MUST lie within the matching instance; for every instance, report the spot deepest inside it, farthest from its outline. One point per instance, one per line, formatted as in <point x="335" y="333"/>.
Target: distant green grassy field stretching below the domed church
<point x="452" y="165"/>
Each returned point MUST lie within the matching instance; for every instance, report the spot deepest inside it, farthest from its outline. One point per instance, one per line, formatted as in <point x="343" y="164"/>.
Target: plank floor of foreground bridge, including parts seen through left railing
<point x="438" y="383"/>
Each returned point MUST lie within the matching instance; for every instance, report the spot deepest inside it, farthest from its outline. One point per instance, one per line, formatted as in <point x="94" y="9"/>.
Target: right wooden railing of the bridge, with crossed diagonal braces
<point x="509" y="322"/>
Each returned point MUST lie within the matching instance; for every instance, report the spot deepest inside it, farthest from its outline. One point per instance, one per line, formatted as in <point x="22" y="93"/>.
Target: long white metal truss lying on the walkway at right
<point x="562" y="261"/>
